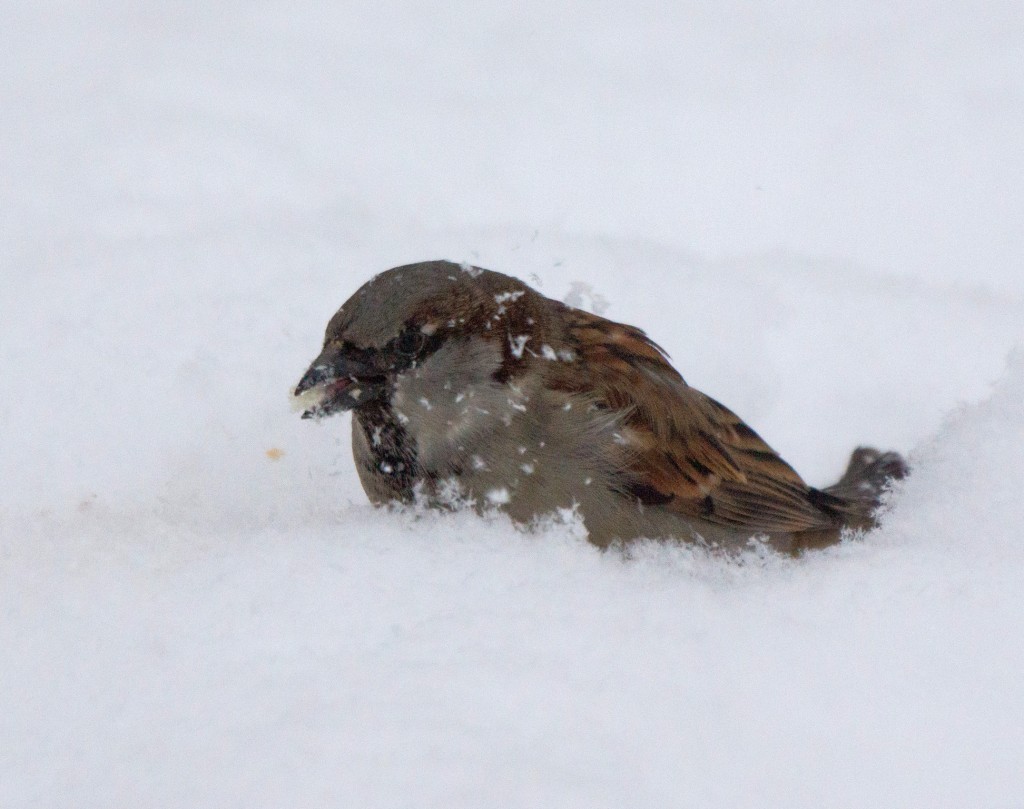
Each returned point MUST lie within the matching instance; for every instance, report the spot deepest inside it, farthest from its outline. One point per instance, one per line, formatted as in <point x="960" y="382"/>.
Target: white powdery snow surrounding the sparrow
<point x="815" y="208"/>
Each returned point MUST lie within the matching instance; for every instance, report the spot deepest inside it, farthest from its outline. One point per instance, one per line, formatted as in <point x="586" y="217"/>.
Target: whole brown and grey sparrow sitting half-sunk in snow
<point x="467" y="384"/>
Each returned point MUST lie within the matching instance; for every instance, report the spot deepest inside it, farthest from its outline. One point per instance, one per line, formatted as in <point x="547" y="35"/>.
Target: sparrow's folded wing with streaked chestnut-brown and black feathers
<point x="687" y="453"/>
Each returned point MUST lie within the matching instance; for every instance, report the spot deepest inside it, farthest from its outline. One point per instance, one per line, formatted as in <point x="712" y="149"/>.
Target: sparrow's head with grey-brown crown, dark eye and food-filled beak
<point x="396" y="322"/>
